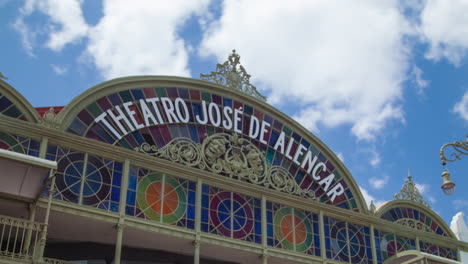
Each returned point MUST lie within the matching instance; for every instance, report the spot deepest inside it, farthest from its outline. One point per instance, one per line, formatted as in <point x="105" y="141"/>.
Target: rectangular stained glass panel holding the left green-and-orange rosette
<point x="161" y="198"/>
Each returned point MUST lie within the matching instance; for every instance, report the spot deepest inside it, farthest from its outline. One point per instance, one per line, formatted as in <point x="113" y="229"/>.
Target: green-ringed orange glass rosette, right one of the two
<point x="293" y="230"/>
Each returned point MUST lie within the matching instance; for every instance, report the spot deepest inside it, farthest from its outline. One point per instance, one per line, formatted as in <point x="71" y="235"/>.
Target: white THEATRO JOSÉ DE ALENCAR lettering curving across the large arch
<point x="130" y="116"/>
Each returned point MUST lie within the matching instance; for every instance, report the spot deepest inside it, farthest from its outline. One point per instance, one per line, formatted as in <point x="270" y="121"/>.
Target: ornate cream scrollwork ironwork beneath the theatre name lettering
<point x="229" y="155"/>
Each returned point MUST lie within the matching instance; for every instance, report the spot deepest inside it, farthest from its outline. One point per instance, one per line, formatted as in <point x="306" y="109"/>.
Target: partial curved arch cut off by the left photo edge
<point x="18" y="106"/>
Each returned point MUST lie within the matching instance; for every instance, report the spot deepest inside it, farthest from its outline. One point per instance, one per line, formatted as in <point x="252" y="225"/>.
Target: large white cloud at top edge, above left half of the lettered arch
<point x="141" y="37"/>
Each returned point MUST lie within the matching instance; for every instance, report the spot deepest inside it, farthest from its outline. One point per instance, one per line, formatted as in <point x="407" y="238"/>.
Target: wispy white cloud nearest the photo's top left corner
<point x="65" y="25"/>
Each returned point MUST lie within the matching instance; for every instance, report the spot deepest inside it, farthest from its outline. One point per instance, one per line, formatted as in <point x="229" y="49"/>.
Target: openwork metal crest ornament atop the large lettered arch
<point x="233" y="75"/>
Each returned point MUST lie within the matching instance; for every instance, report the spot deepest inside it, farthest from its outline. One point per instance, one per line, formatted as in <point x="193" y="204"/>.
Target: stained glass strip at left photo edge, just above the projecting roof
<point x="19" y="144"/>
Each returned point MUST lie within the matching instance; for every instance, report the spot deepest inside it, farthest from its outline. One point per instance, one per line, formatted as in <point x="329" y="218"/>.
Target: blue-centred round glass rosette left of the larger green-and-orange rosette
<point x="69" y="181"/>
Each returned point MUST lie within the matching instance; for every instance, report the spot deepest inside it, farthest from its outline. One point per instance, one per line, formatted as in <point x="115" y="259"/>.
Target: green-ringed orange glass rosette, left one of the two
<point x="161" y="198"/>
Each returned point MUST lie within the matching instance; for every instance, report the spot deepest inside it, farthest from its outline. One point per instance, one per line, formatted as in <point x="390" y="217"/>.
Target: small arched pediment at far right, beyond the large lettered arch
<point x="408" y="212"/>
